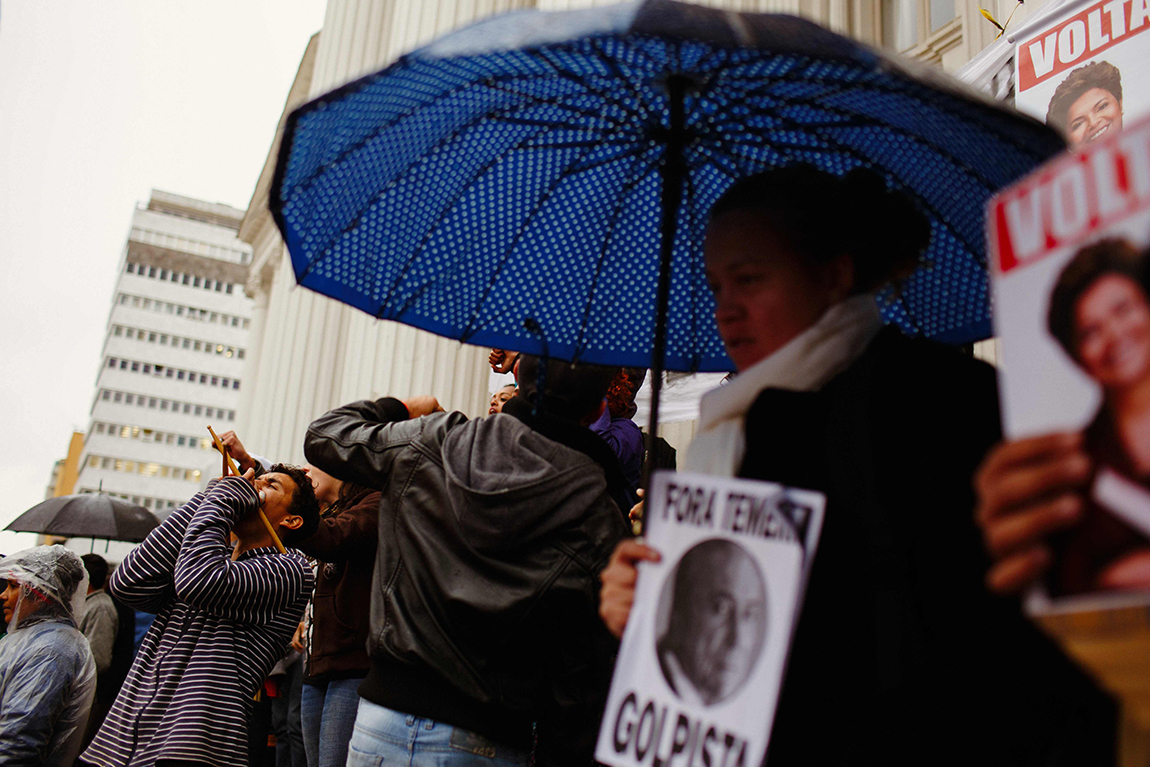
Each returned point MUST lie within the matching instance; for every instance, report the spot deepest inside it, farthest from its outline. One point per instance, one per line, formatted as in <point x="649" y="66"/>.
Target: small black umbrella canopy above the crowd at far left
<point x="88" y="516"/>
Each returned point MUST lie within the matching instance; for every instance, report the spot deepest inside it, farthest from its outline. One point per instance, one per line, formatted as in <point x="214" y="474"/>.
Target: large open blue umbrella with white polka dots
<point x="517" y="185"/>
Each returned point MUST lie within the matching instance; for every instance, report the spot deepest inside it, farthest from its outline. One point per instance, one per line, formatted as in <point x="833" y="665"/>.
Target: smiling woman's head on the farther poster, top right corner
<point x="1088" y="104"/>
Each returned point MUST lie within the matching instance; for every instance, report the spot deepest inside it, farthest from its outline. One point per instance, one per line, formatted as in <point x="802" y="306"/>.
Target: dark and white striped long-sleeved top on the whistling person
<point x="220" y="628"/>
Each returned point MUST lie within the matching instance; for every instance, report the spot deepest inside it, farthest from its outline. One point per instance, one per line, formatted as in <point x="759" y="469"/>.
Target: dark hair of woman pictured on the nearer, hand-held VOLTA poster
<point x="1106" y="257"/>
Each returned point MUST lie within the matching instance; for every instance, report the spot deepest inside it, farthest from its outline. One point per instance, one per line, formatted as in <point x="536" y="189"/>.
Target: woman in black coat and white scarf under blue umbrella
<point x="901" y="656"/>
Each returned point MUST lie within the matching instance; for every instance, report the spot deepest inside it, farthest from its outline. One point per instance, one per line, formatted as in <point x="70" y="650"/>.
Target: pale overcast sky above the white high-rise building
<point x="99" y="104"/>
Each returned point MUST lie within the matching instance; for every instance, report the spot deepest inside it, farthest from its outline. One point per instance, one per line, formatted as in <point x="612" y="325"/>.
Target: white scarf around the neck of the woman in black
<point x="804" y="364"/>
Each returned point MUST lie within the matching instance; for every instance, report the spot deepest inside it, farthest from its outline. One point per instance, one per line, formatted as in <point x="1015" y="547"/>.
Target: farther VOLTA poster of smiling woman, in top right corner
<point x="1086" y="72"/>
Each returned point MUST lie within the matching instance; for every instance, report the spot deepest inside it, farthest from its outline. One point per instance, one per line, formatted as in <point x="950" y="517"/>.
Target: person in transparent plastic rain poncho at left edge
<point x="48" y="676"/>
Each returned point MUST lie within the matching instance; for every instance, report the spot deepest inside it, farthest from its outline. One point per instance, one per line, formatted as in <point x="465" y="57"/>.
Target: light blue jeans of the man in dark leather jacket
<point x="389" y="738"/>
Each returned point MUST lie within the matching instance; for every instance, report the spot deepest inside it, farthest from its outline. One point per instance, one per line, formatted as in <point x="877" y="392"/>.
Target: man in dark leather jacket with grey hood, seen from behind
<point x="493" y="533"/>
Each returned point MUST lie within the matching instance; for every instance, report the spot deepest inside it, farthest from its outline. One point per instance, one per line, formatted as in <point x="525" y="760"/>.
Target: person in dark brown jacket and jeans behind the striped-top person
<point x="338" y="638"/>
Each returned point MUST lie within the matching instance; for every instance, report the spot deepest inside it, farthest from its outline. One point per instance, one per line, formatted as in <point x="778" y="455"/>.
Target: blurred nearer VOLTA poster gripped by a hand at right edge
<point x="1072" y="313"/>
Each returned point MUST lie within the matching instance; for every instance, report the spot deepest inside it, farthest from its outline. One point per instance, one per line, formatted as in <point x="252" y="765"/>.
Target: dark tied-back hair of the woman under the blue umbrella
<point x="822" y="217"/>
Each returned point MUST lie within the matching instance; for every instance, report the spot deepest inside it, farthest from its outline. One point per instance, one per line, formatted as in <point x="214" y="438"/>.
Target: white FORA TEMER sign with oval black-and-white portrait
<point x="703" y="657"/>
